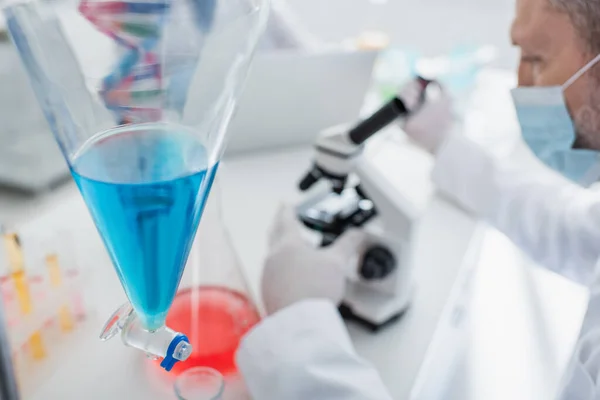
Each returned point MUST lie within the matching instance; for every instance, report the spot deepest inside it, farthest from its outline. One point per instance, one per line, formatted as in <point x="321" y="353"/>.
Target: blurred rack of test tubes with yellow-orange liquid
<point x="38" y="306"/>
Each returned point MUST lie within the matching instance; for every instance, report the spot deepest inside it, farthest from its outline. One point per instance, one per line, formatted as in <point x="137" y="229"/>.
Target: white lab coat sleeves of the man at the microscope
<point x="303" y="352"/>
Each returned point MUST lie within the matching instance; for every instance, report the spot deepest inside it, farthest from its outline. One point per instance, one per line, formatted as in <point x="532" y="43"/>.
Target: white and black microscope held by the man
<point x="358" y="196"/>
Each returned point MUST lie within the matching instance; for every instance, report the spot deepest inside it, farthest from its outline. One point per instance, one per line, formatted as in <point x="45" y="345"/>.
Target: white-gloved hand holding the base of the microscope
<point x="296" y="270"/>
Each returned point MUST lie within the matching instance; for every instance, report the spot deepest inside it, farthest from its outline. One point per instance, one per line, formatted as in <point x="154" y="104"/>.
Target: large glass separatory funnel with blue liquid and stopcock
<point x="138" y="95"/>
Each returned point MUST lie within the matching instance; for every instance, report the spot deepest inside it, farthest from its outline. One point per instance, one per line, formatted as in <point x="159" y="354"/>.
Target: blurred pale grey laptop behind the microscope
<point x="290" y="96"/>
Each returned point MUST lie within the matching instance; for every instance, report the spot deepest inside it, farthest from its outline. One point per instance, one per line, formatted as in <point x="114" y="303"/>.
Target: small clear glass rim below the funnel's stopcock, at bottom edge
<point x="199" y="383"/>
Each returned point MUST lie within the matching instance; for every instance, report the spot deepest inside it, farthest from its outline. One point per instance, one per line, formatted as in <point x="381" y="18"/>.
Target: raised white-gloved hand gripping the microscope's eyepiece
<point x="431" y="121"/>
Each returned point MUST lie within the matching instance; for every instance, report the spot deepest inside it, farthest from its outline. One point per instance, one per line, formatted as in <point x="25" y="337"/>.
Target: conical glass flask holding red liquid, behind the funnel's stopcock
<point x="214" y="305"/>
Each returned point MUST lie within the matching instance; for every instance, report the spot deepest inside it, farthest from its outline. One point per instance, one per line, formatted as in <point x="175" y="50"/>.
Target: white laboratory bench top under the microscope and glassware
<point x="481" y="323"/>
